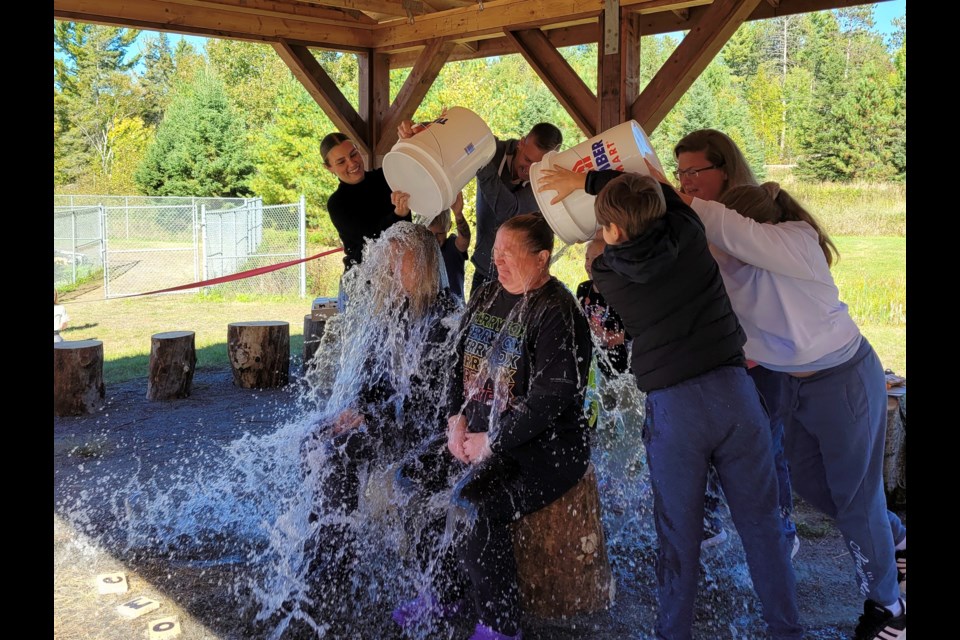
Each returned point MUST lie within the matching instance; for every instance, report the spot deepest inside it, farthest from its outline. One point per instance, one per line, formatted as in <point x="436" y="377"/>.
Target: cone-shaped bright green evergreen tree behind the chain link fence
<point x="200" y="147"/>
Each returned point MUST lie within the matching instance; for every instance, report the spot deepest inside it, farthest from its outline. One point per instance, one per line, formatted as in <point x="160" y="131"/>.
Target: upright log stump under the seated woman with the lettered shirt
<point x="561" y="552"/>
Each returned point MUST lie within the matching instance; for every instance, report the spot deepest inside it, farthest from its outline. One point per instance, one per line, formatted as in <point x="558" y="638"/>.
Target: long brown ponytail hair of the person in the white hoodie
<point x="768" y="203"/>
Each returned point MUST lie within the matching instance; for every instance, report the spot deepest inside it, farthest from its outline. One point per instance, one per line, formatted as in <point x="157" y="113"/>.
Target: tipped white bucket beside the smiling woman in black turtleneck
<point x="436" y="163"/>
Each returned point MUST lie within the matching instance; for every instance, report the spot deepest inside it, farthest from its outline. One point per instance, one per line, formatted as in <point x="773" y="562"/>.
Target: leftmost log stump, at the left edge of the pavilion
<point x="77" y="377"/>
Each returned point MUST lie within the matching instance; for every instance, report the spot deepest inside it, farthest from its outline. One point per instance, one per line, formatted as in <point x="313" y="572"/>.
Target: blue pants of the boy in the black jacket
<point x="716" y="418"/>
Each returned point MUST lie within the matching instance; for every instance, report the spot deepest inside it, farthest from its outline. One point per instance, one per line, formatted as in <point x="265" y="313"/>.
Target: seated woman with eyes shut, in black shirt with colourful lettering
<point x="516" y="423"/>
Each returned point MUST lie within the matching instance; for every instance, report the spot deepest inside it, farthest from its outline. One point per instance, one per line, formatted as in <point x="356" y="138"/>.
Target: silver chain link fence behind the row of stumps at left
<point x="139" y="243"/>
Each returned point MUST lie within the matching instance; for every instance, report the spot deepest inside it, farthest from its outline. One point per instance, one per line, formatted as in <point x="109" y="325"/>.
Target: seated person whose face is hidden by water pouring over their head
<point x="390" y="355"/>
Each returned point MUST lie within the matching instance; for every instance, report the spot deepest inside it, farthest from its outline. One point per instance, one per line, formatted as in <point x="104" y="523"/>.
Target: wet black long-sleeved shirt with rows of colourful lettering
<point x="521" y="373"/>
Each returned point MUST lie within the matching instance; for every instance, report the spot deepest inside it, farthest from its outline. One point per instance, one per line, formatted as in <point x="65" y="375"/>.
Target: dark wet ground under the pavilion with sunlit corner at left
<point x="133" y="436"/>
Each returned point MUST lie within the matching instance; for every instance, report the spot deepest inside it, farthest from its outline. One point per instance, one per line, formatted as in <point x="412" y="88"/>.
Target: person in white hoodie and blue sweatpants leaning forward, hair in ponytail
<point x="775" y="262"/>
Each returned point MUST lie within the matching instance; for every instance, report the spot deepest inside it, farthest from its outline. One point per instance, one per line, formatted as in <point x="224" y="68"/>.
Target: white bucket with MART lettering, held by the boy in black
<point x="623" y="148"/>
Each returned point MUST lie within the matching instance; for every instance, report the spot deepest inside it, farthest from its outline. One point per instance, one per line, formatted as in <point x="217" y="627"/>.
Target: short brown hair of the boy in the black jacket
<point x="632" y="202"/>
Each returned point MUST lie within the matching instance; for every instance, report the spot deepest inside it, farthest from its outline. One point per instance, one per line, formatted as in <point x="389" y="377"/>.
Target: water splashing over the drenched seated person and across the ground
<point x="319" y="564"/>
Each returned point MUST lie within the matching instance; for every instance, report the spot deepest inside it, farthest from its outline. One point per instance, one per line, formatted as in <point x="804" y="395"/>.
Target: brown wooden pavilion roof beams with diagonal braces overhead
<point x="426" y="34"/>
